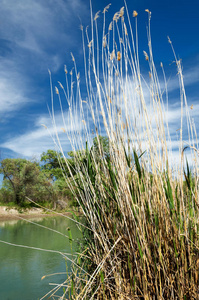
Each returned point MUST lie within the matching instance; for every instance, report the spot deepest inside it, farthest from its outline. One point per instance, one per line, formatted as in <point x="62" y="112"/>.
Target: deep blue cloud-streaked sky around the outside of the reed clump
<point x="39" y="35"/>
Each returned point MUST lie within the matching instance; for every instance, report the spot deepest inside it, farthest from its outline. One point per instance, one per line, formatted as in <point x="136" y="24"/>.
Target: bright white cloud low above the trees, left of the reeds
<point x="43" y="136"/>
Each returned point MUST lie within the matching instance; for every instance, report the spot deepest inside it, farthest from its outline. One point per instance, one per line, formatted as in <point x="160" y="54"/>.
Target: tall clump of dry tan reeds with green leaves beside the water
<point x="141" y="209"/>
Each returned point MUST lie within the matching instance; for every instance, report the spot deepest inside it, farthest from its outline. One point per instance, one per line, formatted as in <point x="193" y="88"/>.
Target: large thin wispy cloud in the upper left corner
<point x="34" y="36"/>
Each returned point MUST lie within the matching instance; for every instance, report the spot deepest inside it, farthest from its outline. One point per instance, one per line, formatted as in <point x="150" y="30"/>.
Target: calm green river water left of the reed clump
<point x="21" y="269"/>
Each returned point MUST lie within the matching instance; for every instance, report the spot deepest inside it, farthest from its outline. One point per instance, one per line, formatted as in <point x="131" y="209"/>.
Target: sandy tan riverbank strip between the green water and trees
<point x="12" y="213"/>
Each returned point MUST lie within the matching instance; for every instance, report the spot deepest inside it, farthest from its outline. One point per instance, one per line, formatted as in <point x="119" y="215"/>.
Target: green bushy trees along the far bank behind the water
<point x="44" y="180"/>
